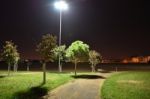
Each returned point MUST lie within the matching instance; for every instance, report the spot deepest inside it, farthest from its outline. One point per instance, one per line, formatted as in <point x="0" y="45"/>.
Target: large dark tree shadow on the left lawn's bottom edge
<point x="33" y="93"/>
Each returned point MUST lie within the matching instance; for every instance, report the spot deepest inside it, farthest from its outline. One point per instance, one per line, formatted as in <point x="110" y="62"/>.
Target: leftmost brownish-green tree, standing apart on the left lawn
<point x="10" y="54"/>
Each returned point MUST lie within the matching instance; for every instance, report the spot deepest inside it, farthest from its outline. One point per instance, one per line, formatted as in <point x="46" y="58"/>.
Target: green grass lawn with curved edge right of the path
<point x="127" y="85"/>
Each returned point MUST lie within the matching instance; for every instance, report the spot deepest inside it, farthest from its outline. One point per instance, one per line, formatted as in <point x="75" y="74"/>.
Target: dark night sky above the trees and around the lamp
<point x="115" y="28"/>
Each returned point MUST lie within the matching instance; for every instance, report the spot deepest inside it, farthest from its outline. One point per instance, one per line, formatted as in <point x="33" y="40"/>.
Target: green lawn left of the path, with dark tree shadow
<point x="27" y="85"/>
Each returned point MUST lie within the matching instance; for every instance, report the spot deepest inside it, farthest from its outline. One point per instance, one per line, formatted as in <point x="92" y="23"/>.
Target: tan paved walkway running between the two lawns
<point x="85" y="88"/>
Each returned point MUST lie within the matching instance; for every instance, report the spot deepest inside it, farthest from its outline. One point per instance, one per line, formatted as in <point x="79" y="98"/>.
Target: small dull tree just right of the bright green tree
<point x="94" y="59"/>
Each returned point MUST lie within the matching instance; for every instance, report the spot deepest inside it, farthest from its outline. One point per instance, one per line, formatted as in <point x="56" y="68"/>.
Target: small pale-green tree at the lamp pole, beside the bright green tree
<point x="59" y="52"/>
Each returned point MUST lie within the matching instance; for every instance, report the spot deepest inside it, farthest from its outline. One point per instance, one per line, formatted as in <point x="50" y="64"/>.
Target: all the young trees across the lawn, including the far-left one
<point x="49" y="51"/>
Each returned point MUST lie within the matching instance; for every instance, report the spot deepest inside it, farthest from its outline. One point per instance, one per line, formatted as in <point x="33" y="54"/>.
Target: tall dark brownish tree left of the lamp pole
<point x="44" y="48"/>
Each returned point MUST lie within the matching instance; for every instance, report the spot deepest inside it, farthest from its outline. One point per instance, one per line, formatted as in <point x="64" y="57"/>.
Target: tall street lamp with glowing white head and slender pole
<point x="61" y="5"/>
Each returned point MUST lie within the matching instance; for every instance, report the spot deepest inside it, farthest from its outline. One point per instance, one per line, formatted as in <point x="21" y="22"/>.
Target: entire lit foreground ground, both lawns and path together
<point x="121" y="85"/>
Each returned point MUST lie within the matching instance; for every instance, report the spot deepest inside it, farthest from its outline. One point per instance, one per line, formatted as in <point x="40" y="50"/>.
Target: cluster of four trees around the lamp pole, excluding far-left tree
<point x="76" y="52"/>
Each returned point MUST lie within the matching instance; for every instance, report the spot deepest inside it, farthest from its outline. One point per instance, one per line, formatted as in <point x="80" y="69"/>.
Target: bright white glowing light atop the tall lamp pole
<point x="61" y="5"/>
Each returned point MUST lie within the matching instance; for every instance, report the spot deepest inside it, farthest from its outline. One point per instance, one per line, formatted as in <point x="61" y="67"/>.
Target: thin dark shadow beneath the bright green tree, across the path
<point x="88" y="77"/>
